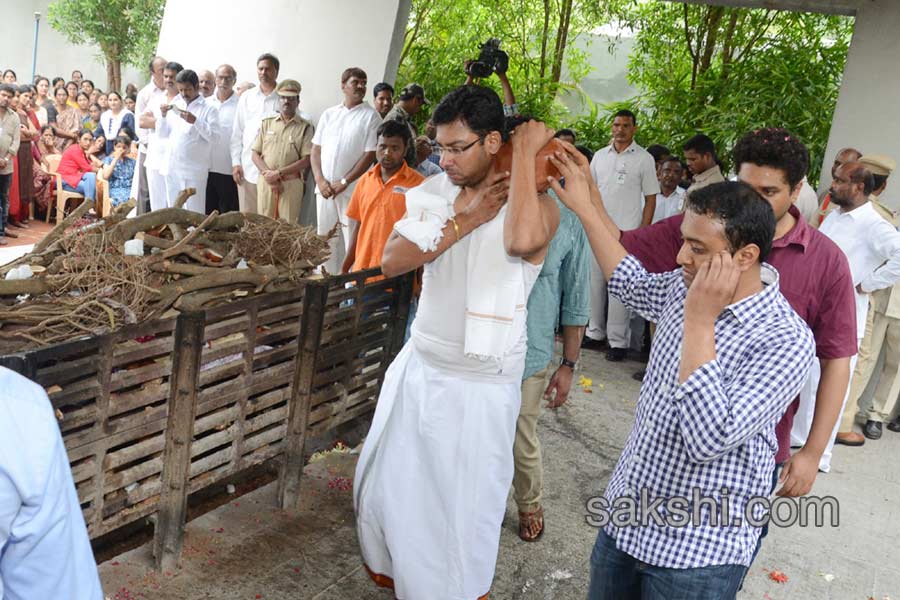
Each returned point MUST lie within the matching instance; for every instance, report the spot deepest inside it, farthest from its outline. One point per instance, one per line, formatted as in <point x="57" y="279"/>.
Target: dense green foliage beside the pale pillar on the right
<point x="725" y="71"/>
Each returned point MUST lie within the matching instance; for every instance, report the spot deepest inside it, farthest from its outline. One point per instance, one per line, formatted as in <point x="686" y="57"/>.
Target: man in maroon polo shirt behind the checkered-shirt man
<point x="815" y="279"/>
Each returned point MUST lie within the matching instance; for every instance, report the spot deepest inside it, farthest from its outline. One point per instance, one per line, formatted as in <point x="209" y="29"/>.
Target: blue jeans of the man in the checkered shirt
<point x="616" y="575"/>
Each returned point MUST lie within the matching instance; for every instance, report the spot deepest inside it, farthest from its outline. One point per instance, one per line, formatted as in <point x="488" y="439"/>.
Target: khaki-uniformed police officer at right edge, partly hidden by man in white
<point x="882" y="332"/>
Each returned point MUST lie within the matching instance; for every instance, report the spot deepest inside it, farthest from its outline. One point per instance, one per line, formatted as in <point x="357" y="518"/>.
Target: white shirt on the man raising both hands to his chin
<point x="190" y="144"/>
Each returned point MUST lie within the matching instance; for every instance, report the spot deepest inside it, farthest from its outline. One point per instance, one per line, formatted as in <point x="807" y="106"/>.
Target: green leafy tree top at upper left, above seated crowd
<point x="126" y="31"/>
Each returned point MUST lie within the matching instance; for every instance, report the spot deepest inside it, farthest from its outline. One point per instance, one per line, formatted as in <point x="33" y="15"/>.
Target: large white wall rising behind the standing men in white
<point x="314" y="40"/>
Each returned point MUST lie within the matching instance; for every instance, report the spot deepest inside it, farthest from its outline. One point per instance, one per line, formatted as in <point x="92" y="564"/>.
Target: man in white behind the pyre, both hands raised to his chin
<point x="191" y="131"/>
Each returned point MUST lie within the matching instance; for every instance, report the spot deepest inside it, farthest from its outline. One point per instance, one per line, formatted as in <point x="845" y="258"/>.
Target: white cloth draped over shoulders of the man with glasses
<point x="495" y="281"/>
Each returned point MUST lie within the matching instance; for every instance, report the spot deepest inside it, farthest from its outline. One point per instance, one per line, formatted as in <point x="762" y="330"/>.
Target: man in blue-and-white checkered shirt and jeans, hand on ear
<point x="729" y="357"/>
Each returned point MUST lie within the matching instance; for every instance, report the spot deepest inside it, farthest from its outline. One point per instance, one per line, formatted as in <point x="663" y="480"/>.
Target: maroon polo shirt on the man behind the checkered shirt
<point x="814" y="276"/>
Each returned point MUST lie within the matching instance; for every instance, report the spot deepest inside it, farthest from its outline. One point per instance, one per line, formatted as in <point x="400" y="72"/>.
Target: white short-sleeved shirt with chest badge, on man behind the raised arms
<point x="624" y="179"/>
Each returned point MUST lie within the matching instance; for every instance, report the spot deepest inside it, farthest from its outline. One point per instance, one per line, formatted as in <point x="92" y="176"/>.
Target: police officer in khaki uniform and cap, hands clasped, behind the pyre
<point x="281" y="153"/>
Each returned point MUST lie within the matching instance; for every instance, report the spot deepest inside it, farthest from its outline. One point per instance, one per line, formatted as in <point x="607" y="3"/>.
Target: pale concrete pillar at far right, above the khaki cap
<point x="867" y="115"/>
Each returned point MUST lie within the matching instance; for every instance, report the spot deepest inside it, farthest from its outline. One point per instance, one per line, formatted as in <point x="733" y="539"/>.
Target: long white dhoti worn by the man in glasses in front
<point x="432" y="480"/>
